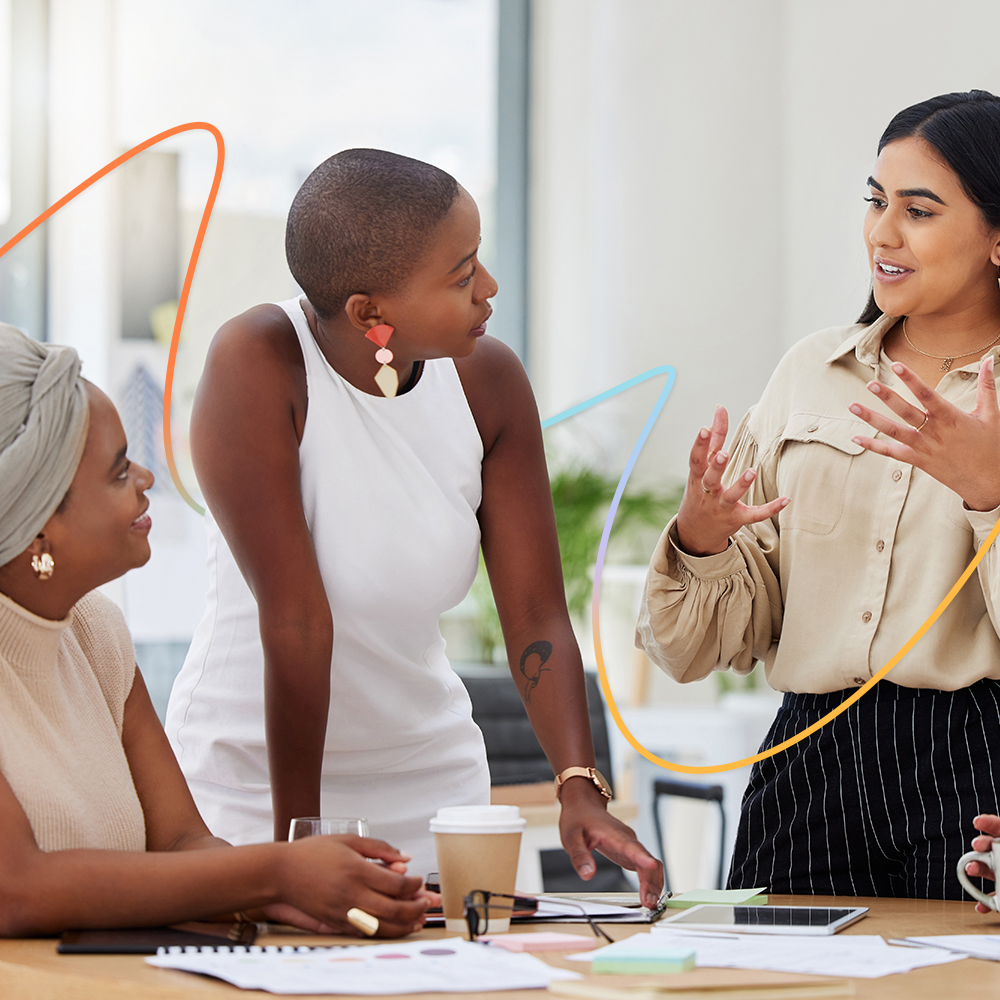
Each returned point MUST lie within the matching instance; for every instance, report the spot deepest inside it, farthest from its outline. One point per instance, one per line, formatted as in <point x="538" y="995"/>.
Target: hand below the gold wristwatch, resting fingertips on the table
<point x="585" y="825"/>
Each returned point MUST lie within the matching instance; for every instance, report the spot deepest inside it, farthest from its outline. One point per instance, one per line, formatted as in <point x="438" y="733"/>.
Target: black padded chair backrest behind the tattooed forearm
<point x="514" y="753"/>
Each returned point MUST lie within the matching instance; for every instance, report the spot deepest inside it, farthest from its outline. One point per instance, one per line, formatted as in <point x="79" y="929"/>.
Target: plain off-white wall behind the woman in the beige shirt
<point x="697" y="177"/>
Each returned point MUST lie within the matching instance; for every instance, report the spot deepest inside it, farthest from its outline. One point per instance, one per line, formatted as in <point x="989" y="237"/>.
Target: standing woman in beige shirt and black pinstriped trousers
<point x="853" y="497"/>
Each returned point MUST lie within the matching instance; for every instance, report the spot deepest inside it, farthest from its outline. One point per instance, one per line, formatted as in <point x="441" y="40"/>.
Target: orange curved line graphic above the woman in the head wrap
<point x="192" y="263"/>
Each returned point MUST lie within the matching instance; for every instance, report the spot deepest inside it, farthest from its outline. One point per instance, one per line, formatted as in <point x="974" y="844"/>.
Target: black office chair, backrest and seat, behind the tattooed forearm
<point x="516" y="758"/>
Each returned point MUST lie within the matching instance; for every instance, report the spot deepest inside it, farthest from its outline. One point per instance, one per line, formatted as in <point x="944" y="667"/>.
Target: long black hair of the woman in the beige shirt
<point x="964" y="129"/>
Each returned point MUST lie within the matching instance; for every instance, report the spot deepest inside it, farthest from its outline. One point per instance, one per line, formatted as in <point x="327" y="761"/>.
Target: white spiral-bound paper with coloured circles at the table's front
<point x="449" y="966"/>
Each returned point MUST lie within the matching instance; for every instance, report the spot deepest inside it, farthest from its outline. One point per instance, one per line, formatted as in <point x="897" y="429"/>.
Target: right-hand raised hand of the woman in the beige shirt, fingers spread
<point x="960" y="450"/>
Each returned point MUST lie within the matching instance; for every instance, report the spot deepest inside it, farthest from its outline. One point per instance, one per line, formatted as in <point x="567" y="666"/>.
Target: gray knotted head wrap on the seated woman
<point x="43" y="428"/>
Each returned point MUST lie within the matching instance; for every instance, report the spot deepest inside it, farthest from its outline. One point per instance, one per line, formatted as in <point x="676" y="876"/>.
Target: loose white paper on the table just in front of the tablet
<point x="851" y="955"/>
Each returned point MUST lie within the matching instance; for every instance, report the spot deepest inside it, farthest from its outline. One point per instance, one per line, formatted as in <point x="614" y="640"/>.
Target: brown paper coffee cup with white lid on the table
<point x="477" y="848"/>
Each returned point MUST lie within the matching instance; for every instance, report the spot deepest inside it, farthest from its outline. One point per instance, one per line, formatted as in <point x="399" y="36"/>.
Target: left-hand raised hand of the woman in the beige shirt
<point x="709" y="513"/>
